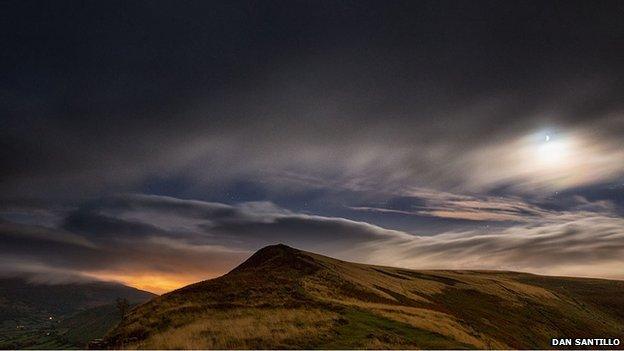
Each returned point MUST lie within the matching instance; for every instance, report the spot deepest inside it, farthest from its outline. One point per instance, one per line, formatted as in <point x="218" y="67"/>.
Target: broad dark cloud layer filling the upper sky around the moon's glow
<point x="105" y="96"/>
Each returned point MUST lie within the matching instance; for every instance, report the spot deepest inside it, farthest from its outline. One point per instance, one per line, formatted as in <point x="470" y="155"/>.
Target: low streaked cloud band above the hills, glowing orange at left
<point x="160" y="242"/>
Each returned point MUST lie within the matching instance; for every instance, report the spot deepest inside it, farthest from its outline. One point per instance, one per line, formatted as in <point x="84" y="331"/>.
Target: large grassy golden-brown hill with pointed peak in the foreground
<point x="286" y="298"/>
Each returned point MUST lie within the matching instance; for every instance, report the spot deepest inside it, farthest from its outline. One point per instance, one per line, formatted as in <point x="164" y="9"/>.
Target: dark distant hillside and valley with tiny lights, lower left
<point x="61" y="315"/>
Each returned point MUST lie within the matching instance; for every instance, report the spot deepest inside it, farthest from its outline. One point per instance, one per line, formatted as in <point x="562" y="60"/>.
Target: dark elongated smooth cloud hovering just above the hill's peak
<point x="248" y="225"/>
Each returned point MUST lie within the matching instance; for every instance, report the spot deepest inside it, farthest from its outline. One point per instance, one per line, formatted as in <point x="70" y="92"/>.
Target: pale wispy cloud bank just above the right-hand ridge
<point x="572" y="244"/>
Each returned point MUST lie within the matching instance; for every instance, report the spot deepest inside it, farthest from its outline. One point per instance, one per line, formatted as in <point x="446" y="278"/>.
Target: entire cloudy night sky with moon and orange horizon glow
<point x="161" y="143"/>
